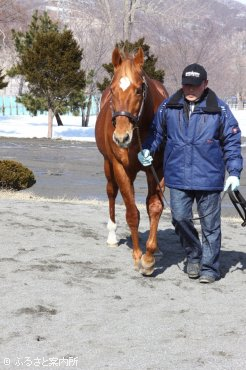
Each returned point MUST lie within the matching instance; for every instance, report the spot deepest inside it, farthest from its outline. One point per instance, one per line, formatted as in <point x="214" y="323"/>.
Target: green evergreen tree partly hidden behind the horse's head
<point x="149" y="62"/>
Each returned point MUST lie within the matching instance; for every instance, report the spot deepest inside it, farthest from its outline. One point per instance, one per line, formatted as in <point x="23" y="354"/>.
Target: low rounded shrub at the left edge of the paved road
<point x="13" y="175"/>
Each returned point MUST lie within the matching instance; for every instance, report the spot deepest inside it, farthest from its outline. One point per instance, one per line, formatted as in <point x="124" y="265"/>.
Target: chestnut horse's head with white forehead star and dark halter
<point x="128" y="90"/>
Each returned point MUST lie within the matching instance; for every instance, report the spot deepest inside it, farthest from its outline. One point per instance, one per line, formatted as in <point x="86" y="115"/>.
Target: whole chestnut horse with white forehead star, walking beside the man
<point x="127" y="111"/>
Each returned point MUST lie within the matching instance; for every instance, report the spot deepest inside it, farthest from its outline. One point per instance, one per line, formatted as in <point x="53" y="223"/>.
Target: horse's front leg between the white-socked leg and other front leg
<point x="125" y="183"/>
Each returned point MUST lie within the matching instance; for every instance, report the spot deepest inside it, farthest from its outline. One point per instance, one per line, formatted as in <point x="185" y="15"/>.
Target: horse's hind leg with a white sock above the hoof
<point x="112" y="191"/>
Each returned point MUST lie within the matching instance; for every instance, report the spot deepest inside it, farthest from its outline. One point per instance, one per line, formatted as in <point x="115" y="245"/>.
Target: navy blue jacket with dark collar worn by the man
<point x="197" y="149"/>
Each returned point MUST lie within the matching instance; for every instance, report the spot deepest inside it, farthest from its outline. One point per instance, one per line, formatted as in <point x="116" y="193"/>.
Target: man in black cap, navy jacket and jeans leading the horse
<point x="202" y="140"/>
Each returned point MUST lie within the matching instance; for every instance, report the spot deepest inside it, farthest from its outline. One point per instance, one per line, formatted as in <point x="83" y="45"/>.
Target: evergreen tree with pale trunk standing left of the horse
<point x="49" y="60"/>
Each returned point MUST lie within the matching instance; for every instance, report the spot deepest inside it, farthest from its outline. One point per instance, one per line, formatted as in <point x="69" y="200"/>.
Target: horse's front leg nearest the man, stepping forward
<point x="155" y="207"/>
